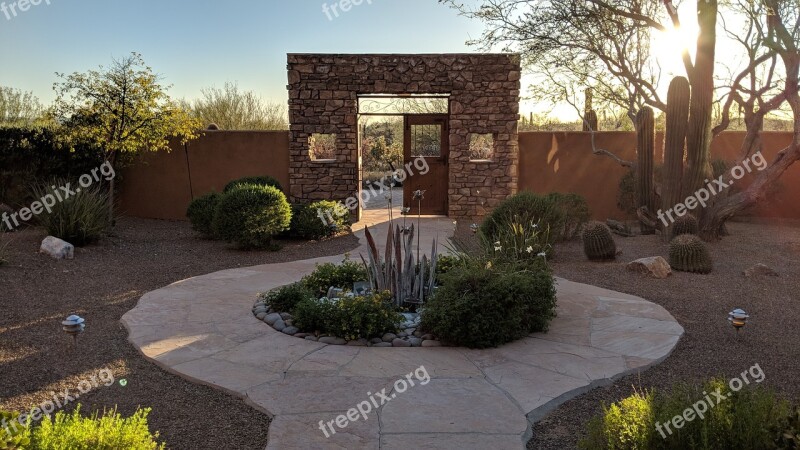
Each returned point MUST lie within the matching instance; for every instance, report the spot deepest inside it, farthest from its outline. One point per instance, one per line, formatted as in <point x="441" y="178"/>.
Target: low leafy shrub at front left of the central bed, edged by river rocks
<point x="364" y="317"/>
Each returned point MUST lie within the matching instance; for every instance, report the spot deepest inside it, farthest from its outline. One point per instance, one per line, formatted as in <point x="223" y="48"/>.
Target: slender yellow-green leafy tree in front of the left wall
<point x="123" y="109"/>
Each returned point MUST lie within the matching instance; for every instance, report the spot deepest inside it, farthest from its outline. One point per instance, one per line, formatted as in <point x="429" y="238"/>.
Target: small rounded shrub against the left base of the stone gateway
<point x="318" y="220"/>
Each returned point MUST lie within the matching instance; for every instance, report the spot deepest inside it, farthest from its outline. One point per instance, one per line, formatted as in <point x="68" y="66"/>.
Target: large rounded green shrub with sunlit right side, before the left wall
<point x="251" y="215"/>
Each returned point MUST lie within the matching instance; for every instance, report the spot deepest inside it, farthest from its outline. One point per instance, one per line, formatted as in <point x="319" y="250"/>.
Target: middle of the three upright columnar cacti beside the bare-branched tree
<point x="674" y="145"/>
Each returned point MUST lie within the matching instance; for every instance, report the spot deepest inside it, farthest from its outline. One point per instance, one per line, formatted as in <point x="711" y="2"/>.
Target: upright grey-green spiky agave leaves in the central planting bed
<point x="396" y="271"/>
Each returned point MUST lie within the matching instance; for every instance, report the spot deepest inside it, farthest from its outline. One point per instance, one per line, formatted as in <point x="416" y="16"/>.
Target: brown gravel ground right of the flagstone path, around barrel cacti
<point x="700" y="303"/>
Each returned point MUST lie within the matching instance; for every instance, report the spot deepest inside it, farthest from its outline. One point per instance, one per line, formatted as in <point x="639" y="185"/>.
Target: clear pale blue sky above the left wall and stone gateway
<point x="202" y="43"/>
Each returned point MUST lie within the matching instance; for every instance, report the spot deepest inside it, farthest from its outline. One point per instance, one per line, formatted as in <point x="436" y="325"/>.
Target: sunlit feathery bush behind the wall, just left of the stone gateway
<point x="233" y="109"/>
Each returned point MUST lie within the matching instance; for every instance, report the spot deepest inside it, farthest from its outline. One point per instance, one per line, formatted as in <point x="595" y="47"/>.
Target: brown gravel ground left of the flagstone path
<point x="101" y="284"/>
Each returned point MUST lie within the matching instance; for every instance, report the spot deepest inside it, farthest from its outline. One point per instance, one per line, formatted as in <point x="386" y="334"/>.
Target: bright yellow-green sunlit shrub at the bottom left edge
<point x="107" y="432"/>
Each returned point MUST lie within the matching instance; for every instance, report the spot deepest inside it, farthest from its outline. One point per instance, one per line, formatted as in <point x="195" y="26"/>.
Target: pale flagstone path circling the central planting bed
<point x="203" y="330"/>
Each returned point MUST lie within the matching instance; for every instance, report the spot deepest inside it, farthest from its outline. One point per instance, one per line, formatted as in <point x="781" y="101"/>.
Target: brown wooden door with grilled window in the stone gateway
<point x="426" y="136"/>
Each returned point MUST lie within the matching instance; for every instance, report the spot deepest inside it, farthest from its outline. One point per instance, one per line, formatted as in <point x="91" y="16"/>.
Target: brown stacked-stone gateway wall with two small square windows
<point x="484" y="92"/>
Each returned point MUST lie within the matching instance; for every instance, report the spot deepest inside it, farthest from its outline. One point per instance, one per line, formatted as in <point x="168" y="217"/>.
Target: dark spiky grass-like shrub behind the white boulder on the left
<point x="80" y="219"/>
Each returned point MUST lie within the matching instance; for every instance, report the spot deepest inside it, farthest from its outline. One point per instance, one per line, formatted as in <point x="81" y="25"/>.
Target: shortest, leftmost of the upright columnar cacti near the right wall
<point x="645" y="148"/>
